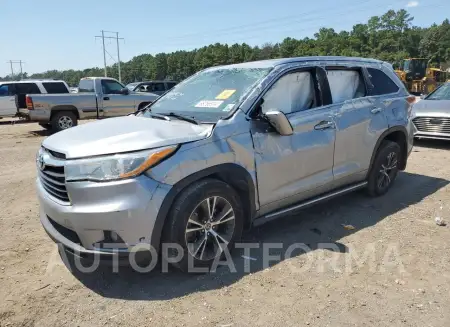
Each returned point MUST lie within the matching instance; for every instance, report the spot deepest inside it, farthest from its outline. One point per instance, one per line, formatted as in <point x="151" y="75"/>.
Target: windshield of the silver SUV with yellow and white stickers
<point x="209" y="95"/>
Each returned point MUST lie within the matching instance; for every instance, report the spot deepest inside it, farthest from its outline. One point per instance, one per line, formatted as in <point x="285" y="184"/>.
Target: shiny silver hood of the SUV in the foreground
<point x="123" y="134"/>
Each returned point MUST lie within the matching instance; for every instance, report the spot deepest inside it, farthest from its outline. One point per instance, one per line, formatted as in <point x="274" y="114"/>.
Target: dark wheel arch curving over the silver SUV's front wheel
<point x="233" y="174"/>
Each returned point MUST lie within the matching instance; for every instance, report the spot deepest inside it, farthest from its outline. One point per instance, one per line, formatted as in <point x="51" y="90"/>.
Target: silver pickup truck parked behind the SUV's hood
<point x="98" y="97"/>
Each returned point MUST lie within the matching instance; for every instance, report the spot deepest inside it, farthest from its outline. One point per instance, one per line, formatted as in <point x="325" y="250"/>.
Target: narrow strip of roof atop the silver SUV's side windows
<point x="275" y="62"/>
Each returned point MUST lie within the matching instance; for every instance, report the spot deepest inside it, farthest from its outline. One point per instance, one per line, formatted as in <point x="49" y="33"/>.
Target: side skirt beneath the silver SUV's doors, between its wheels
<point x="282" y="212"/>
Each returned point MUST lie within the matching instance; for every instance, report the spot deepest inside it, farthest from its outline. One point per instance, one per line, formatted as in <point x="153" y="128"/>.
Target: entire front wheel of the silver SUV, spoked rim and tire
<point x="205" y="220"/>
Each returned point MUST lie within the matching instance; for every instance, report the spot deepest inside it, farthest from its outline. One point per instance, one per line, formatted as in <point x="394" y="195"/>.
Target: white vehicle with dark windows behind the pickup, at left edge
<point x="10" y="92"/>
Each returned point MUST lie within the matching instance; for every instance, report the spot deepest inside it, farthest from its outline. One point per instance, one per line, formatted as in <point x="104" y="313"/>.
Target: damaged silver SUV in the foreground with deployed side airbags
<point x="228" y="148"/>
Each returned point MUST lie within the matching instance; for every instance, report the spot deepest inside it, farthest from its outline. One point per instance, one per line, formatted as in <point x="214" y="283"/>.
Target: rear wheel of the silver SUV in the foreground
<point x="384" y="169"/>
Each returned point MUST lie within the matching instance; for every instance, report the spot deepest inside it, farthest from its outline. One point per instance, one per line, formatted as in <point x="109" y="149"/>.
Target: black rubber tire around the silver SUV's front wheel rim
<point x="185" y="206"/>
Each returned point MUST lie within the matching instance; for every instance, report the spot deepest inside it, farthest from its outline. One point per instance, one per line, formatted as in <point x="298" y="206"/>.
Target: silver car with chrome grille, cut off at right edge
<point x="431" y="115"/>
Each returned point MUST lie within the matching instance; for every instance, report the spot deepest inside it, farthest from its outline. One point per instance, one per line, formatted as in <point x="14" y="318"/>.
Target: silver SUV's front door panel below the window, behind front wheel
<point x="292" y="168"/>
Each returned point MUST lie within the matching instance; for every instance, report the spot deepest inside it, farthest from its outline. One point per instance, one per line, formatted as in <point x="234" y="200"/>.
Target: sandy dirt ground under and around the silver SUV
<point x="403" y="280"/>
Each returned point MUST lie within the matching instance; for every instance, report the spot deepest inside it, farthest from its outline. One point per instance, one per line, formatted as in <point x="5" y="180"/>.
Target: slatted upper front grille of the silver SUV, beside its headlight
<point x="54" y="182"/>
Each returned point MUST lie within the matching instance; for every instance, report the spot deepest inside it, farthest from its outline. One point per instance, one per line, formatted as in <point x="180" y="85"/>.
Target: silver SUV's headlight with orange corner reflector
<point x="116" y="166"/>
